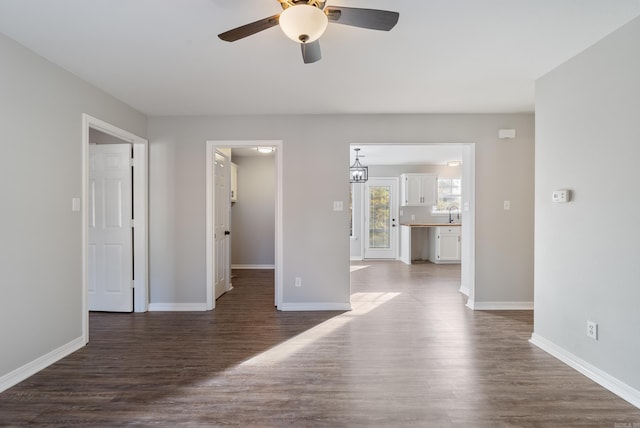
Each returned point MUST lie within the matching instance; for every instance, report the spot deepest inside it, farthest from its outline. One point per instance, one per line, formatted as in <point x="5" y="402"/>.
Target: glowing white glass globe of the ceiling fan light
<point x="303" y="23"/>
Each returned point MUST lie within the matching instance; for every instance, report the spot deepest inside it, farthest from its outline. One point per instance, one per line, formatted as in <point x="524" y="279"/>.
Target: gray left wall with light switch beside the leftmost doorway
<point x="41" y="110"/>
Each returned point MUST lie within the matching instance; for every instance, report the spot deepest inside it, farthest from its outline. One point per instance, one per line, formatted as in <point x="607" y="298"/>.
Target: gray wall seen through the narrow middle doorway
<point x="253" y="216"/>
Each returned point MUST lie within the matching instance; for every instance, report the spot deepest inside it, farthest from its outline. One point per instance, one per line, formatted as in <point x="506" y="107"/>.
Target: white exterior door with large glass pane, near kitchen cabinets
<point x="381" y="215"/>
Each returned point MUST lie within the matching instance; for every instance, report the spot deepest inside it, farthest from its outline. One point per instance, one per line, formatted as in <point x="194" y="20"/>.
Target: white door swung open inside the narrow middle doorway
<point x="221" y="230"/>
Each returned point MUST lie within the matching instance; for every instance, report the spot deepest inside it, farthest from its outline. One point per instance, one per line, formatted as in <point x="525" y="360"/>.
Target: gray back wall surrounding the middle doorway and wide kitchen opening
<point x="316" y="244"/>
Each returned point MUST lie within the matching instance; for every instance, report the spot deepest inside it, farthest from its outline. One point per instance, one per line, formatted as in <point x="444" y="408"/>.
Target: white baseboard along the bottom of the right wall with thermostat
<point x="602" y="378"/>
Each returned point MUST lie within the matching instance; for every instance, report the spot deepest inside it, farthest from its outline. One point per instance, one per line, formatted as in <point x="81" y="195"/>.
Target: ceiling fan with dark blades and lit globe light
<point x="304" y="21"/>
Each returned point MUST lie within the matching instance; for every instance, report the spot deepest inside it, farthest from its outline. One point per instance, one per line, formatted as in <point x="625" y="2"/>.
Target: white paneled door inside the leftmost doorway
<point x="110" y="252"/>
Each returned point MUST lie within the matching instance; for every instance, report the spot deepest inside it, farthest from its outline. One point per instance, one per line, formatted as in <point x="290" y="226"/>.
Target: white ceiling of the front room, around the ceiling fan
<point x="163" y="57"/>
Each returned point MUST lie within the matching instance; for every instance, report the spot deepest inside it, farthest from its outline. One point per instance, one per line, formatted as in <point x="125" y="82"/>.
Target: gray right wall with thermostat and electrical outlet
<point x="588" y="134"/>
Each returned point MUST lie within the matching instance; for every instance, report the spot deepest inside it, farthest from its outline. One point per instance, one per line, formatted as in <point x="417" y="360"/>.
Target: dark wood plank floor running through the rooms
<point x="409" y="354"/>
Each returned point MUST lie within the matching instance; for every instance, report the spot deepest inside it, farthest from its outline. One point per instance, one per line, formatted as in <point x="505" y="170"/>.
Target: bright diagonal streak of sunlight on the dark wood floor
<point x="361" y="303"/>
